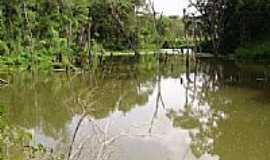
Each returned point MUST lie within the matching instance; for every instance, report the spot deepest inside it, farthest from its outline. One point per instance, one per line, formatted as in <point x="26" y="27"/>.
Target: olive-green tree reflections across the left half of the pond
<point x="48" y="102"/>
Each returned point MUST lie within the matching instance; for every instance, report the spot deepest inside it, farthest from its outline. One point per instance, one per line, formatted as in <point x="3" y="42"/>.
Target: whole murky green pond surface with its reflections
<point x="136" y="111"/>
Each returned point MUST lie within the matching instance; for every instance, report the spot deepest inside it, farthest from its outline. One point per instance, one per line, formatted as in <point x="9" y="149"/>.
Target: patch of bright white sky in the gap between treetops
<point x="171" y="7"/>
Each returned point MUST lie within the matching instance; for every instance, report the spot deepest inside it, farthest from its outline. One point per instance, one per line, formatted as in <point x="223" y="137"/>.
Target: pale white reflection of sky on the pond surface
<point x="165" y="141"/>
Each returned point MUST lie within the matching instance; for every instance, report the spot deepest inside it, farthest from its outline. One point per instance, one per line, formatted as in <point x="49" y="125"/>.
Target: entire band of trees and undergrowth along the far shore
<point x="66" y="34"/>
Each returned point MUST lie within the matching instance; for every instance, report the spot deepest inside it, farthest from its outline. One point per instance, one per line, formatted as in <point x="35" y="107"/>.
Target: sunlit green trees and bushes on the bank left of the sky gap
<point x="68" y="33"/>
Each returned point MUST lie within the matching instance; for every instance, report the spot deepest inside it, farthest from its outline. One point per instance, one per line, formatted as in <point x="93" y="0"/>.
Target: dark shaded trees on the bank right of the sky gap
<point x="234" y="27"/>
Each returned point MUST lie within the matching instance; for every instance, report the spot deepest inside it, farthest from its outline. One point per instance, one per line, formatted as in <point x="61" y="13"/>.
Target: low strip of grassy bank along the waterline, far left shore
<point x="46" y="62"/>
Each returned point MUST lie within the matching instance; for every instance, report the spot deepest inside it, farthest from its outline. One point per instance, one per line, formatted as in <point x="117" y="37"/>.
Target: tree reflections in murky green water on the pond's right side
<point x="223" y="90"/>
